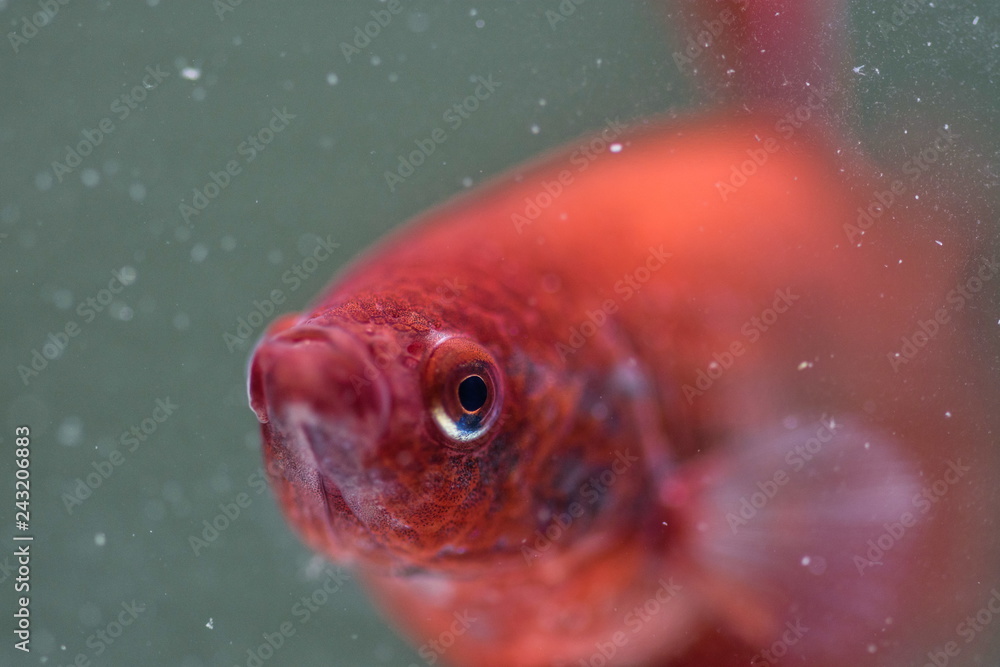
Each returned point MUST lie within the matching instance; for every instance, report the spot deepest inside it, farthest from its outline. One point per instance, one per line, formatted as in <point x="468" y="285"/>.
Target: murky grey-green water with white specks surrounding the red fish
<point x="162" y="336"/>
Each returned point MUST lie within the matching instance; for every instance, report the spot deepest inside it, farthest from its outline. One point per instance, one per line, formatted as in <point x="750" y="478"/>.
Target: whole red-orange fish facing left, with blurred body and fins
<point x="652" y="410"/>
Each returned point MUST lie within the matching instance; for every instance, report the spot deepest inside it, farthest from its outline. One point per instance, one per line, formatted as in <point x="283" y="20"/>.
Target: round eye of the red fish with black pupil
<point x="463" y="391"/>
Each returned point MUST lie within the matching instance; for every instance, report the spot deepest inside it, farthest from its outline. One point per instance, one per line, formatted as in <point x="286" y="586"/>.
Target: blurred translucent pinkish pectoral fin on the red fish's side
<point x="800" y="537"/>
